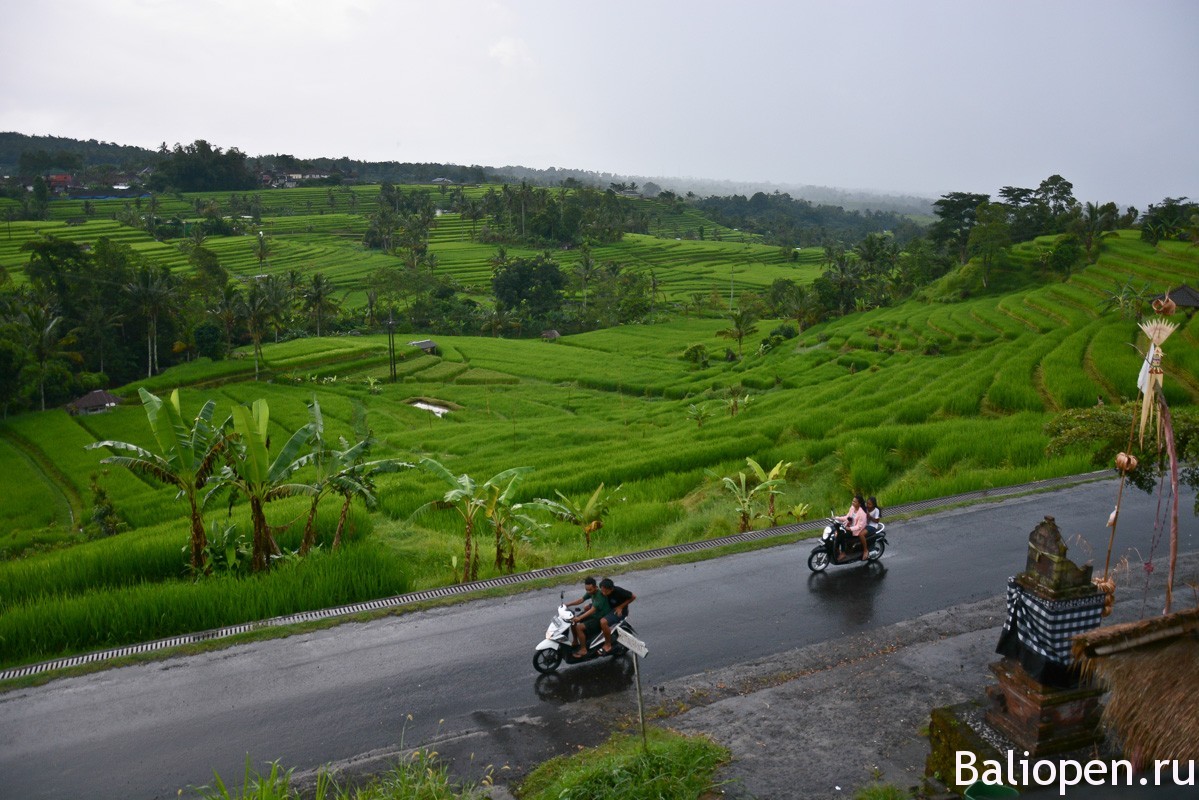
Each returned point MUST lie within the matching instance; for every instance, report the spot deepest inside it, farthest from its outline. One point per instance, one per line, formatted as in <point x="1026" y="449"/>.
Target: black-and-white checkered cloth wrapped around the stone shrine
<point x="1047" y="627"/>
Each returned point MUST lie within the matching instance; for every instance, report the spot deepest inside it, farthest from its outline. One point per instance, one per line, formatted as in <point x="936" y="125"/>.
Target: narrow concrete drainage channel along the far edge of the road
<point x="593" y="566"/>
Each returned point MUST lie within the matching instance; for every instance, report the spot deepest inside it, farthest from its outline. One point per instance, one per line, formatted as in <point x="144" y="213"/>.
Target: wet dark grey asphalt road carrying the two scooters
<point x="466" y="672"/>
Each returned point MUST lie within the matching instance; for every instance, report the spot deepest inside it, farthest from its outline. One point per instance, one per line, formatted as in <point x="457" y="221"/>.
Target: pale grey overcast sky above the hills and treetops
<point x="902" y="97"/>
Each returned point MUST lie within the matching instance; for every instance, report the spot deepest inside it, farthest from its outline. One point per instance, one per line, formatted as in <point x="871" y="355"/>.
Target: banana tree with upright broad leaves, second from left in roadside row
<point x="251" y="472"/>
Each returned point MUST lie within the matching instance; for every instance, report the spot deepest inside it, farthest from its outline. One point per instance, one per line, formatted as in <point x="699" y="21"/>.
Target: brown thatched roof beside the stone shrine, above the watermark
<point x="1150" y="670"/>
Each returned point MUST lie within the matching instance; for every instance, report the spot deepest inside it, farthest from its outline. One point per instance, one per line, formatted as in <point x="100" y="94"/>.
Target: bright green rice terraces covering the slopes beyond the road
<point x="915" y="401"/>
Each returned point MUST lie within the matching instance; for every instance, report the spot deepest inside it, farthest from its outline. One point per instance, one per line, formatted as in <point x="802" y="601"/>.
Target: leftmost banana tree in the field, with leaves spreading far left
<point x="188" y="460"/>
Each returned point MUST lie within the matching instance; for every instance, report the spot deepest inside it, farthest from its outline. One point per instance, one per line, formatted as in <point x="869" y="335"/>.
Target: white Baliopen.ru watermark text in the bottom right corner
<point x="1069" y="773"/>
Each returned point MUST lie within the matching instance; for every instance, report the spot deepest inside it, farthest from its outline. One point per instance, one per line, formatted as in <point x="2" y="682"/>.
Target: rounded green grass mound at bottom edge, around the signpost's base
<point x="673" y="767"/>
